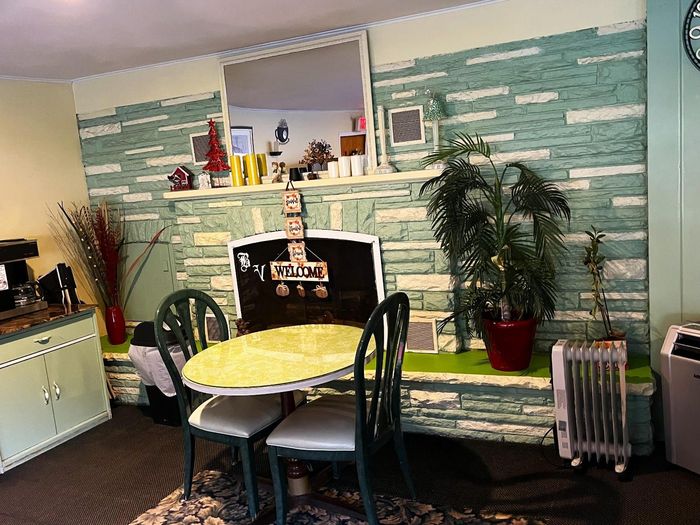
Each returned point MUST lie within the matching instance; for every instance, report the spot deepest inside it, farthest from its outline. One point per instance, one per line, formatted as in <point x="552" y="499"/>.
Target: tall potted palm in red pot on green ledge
<point x="500" y="229"/>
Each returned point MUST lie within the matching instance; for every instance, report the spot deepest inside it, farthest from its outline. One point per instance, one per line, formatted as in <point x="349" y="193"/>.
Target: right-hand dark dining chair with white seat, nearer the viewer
<point x="352" y="428"/>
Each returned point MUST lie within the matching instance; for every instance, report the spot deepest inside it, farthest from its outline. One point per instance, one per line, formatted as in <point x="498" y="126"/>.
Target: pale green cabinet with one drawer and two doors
<point x="52" y="387"/>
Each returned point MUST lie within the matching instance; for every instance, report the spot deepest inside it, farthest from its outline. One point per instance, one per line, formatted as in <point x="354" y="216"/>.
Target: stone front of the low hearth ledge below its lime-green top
<point x="496" y="408"/>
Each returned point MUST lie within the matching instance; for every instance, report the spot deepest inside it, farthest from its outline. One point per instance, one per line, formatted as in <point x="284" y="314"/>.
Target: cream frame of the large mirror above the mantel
<point x="311" y="42"/>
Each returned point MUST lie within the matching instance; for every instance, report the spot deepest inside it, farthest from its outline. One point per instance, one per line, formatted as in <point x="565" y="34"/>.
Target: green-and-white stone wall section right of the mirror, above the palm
<point x="572" y="108"/>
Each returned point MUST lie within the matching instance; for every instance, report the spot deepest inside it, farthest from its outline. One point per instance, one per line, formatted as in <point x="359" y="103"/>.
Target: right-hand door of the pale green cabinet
<point x="77" y="383"/>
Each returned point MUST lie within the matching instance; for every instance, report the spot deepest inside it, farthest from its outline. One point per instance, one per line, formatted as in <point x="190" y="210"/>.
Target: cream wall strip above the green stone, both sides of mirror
<point x="468" y="28"/>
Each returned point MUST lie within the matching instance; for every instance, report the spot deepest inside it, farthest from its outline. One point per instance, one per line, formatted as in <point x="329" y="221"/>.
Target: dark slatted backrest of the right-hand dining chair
<point x="384" y="333"/>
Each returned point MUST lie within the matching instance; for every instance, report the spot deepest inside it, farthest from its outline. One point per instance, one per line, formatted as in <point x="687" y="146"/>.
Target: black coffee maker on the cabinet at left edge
<point x="18" y="295"/>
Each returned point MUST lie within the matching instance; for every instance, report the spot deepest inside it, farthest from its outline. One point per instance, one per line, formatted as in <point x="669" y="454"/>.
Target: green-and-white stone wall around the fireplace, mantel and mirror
<point x="570" y="106"/>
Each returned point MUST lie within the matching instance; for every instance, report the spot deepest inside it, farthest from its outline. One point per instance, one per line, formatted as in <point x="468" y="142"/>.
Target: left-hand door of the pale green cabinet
<point x="26" y="416"/>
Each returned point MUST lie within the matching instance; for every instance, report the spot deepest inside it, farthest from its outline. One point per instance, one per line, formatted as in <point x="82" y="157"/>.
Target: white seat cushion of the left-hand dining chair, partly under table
<point x="240" y="416"/>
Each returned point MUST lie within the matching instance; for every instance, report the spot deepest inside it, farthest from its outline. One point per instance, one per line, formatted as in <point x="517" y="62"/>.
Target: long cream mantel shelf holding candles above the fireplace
<point x="404" y="176"/>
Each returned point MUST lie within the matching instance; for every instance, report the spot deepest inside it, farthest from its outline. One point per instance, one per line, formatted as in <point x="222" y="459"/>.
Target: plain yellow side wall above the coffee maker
<point x="41" y="163"/>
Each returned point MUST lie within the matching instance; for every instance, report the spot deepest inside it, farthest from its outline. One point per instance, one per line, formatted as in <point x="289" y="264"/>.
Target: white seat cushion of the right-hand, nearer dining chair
<point x="326" y="424"/>
